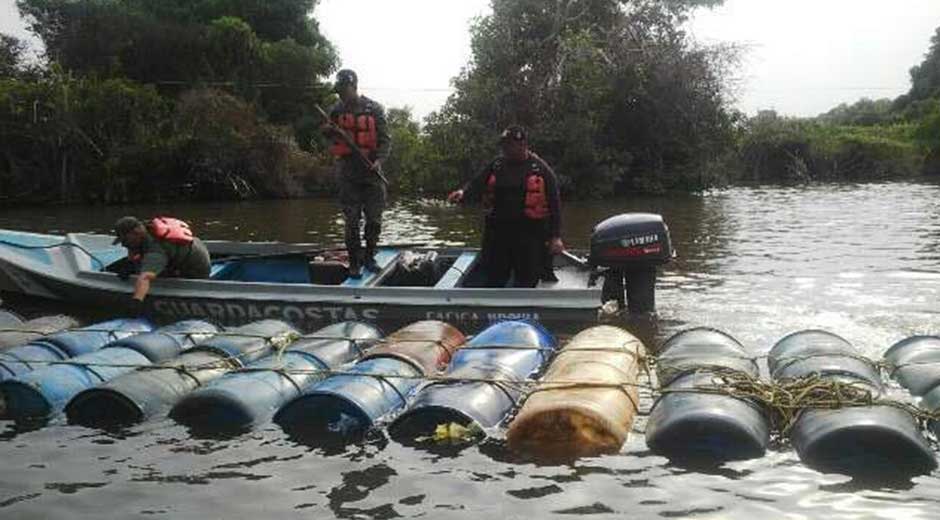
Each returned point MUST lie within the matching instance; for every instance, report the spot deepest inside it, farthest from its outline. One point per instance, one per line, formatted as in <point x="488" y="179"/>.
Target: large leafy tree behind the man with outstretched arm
<point x="614" y="92"/>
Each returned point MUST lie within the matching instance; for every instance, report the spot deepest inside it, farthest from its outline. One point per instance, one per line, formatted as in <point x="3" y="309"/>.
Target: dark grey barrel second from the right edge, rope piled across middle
<point x="852" y="440"/>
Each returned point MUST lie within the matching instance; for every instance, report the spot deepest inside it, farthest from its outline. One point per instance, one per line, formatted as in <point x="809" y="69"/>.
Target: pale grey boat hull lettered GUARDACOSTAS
<point x="73" y="275"/>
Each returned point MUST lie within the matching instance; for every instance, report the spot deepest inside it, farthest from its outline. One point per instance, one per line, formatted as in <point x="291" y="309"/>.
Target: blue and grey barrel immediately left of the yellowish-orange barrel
<point x="510" y="351"/>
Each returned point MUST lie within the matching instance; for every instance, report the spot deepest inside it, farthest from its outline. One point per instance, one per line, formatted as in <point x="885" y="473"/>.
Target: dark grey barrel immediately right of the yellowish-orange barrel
<point x="686" y="425"/>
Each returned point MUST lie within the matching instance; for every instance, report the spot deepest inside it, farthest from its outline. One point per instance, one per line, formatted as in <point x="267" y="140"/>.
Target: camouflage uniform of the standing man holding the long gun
<point x="361" y="191"/>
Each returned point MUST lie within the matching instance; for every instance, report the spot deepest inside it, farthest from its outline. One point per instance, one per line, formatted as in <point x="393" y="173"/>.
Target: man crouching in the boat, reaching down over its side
<point x="163" y="247"/>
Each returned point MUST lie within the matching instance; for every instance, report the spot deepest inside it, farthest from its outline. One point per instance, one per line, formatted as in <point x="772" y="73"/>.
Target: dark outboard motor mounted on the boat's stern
<point x="625" y="251"/>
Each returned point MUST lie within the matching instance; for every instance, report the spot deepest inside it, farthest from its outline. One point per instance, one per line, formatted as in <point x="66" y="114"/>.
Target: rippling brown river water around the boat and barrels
<point x="862" y="261"/>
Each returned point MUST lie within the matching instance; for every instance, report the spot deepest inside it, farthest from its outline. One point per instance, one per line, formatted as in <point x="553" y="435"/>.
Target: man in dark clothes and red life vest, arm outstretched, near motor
<point x="519" y="192"/>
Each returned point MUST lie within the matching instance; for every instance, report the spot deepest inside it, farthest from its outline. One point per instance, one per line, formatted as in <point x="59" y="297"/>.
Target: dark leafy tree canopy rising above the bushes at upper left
<point x="269" y="52"/>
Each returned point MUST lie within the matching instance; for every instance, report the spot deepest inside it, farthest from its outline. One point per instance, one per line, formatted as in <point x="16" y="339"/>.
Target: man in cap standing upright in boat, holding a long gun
<point x="362" y="188"/>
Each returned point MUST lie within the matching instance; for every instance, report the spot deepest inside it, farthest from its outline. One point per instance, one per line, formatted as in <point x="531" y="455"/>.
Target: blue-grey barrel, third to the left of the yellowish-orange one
<point x="239" y="400"/>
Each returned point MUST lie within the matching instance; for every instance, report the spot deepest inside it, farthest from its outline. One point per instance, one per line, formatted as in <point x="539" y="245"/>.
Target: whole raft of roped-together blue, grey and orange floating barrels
<point x="428" y="383"/>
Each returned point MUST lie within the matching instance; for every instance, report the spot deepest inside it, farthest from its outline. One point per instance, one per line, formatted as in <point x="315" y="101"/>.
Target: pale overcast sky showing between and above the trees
<point x="803" y="57"/>
